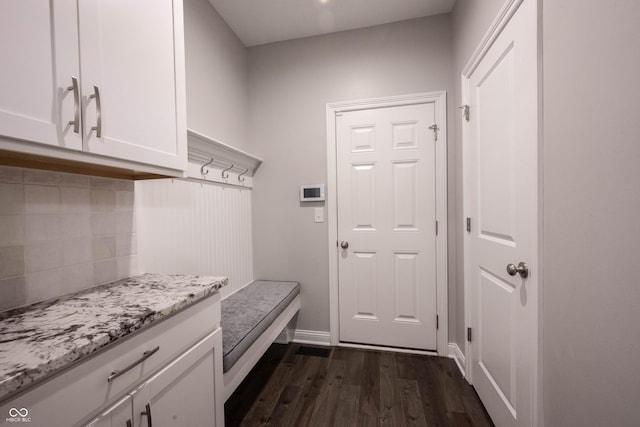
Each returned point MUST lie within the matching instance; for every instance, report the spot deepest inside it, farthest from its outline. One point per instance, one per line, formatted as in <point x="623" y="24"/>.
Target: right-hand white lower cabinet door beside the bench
<point x="182" y="394"/>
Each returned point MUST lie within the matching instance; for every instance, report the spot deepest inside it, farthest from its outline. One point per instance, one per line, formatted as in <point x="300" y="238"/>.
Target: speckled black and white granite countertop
<point x="40" y="339"/>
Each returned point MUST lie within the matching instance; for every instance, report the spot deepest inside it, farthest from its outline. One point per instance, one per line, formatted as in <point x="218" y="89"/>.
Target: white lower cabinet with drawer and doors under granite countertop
<point x="173" y="365"/>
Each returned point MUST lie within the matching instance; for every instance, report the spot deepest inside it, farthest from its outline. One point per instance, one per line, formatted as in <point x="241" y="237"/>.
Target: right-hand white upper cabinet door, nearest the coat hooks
<point x="132" y="64"/>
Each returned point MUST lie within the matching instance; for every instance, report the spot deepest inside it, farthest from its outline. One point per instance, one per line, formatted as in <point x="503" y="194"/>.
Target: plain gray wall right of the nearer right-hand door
<point x="591" y="302"/>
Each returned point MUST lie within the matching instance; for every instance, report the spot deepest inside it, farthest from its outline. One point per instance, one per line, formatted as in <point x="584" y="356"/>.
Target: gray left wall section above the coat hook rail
<point x="216" y="70"/>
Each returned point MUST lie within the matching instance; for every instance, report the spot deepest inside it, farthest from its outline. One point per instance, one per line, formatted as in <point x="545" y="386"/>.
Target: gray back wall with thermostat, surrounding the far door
<point x="289" y="85"/>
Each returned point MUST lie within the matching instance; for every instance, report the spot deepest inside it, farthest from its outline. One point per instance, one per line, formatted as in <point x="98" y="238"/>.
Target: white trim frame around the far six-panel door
<point x="439" y="99"/>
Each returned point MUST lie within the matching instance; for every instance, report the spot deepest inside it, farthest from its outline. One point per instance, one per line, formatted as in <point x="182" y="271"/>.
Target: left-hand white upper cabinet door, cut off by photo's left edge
<point x="39" y="52"/>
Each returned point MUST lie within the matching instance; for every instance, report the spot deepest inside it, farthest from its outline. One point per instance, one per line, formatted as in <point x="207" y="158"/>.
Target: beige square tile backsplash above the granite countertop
<point x="61" y="233"/>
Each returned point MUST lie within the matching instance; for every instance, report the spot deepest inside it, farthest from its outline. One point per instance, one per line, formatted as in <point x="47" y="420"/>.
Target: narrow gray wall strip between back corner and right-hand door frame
<point x="470" y="21"/>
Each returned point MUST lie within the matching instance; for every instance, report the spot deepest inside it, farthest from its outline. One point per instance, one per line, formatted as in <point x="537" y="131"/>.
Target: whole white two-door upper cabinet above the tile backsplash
<point x="128" y="61"/>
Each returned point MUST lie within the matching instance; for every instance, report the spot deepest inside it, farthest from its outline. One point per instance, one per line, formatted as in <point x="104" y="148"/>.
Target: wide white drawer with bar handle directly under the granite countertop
<point x="73" y="395"/>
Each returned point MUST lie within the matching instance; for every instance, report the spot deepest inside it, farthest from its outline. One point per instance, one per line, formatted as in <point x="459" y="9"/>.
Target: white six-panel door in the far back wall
<point x="386" y="215"/>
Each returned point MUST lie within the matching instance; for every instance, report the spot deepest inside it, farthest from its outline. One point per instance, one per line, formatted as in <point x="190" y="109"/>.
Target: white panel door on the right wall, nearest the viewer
<point x="501" y="142"/>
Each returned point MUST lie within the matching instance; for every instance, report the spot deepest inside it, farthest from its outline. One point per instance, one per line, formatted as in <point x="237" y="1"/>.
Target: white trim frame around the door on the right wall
<point x="500" y="22"/>
